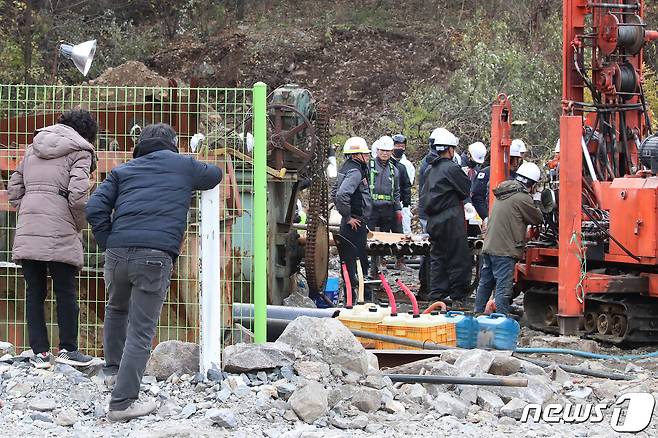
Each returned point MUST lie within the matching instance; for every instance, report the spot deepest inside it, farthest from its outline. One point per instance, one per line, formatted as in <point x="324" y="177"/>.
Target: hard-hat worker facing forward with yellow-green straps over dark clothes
<point x="383" y="179"/>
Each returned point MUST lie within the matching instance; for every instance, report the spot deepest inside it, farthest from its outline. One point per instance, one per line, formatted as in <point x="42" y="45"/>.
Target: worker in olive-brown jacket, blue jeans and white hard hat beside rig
<point x="513" y="210"/>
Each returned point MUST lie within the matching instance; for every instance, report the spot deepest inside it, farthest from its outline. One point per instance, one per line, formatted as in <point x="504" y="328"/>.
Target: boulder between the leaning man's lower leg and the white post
<point x="171" y="357"/>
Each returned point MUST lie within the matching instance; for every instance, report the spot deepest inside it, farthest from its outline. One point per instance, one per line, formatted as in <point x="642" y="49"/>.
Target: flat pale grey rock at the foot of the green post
<point x="243" y="358"/>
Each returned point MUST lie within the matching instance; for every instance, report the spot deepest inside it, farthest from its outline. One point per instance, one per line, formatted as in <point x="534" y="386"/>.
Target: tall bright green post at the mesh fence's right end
<point x="260" y="212"/>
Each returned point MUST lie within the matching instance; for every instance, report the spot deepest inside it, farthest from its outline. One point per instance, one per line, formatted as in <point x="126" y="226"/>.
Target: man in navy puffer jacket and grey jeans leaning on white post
<point x="138" y="216"/>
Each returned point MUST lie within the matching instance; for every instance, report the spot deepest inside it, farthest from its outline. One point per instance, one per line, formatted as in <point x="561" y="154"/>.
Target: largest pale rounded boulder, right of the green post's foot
<point x="330" y="338"/>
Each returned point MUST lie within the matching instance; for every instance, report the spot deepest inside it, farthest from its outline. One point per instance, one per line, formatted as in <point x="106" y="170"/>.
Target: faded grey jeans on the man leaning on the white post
<point x="136" y="280"/>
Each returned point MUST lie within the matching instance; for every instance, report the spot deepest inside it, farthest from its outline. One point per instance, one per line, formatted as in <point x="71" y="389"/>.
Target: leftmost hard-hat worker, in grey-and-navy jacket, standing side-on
<point x="351" y="196"/>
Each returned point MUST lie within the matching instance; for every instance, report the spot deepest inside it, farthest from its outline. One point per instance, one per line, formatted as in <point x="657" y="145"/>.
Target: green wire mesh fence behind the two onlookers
<point x="214" y="125"/>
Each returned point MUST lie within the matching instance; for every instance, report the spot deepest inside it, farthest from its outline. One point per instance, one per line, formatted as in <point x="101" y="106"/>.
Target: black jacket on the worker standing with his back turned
<point x="446" y="186"/>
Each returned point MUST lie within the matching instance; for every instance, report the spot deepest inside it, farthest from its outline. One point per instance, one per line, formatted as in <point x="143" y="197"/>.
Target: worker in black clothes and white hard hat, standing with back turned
<point x="444" y="191"/>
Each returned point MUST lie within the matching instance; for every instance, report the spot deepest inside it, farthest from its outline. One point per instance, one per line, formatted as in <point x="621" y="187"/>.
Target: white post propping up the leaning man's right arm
<point x="210" y="305"/>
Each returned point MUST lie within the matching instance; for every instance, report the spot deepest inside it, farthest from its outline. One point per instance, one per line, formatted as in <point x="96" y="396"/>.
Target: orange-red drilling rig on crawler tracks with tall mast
<point x="591" y="269"/>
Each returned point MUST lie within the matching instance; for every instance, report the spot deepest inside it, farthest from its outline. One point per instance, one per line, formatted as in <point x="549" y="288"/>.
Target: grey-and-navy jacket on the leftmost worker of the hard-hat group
<point x="351" y="192"/>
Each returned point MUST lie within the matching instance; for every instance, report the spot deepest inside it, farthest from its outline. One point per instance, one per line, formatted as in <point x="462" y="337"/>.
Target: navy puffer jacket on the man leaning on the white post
<point x="144" y="202"/>
